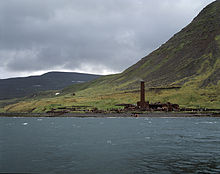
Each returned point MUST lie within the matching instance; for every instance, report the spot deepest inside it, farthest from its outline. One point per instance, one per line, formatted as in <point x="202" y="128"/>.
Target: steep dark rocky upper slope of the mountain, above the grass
<point x="194" y="51"/>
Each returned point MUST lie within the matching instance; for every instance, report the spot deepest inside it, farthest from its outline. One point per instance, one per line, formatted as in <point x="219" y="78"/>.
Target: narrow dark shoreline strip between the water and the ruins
<point x="115" y="115"/>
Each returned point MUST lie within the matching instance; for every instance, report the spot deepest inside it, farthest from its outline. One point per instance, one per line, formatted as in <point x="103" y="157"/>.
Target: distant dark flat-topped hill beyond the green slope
<point x="23" y="86"/>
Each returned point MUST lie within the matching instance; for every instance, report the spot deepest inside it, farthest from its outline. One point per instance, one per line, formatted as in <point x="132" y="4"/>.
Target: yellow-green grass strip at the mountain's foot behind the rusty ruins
<point x="105" y="98"/>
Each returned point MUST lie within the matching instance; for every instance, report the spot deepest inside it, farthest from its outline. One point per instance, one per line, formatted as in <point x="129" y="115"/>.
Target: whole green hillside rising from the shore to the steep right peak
<point x="190" y="60"/>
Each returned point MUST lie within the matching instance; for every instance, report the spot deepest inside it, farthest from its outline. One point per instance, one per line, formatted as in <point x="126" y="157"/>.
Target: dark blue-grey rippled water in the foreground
<point x="110" y="145"/>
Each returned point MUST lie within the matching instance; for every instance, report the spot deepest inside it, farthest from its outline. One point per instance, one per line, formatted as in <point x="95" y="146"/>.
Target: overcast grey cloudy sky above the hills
<point x="93" y="36"/>
